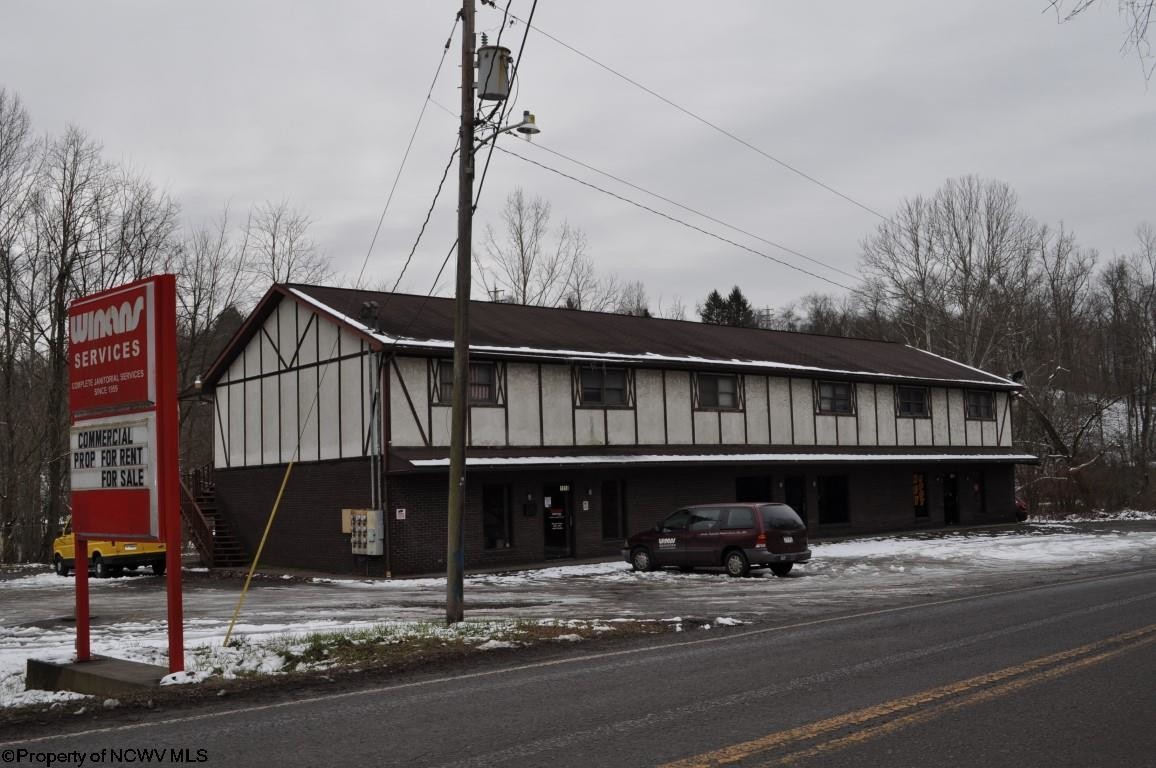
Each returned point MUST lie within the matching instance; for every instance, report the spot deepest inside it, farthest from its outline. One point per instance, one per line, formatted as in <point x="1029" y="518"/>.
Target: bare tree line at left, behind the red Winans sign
<point x="72" y="224"/>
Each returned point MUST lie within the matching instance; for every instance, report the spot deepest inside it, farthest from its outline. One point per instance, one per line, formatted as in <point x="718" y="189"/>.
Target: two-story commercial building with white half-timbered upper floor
<point x="583" y="427"/>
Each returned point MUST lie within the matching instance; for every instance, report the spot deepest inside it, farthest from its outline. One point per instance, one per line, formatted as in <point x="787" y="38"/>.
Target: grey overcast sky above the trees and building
<point x="243" y="101"/>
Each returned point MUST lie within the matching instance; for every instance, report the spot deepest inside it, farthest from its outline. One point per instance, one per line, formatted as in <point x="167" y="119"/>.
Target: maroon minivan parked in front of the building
<point x="737" y="537"/>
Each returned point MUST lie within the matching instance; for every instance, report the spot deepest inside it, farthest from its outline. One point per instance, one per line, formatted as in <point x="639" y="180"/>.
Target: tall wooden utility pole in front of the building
<point x="455" y="553"/>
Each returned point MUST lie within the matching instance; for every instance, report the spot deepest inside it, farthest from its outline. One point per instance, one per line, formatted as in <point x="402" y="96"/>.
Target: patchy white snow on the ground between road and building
<point x="839" y="568"/>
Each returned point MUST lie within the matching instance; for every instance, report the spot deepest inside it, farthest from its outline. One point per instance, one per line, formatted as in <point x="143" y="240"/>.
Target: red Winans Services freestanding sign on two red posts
<point x="123" y="400"/>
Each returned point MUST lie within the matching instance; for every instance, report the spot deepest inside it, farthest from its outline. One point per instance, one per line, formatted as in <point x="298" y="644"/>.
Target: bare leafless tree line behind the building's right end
<point x="966" y="274"/>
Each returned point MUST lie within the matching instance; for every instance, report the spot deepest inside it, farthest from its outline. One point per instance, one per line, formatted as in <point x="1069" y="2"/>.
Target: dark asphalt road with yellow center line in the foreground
<point x="1059" y="674"/>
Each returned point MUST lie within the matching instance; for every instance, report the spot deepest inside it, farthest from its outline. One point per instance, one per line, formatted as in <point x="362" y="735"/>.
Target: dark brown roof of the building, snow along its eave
<point x="515" y="330"/>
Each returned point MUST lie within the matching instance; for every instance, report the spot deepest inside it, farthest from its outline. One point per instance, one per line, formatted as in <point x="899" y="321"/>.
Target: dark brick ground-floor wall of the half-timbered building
<point x="308" y="531"/>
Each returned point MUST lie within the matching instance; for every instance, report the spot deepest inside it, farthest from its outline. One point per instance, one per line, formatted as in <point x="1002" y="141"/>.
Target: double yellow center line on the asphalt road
<point x="1034" y="673"/>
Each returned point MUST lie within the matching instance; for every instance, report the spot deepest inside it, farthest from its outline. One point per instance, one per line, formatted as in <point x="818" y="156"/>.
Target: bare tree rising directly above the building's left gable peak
<point x="277" y="247"/>
